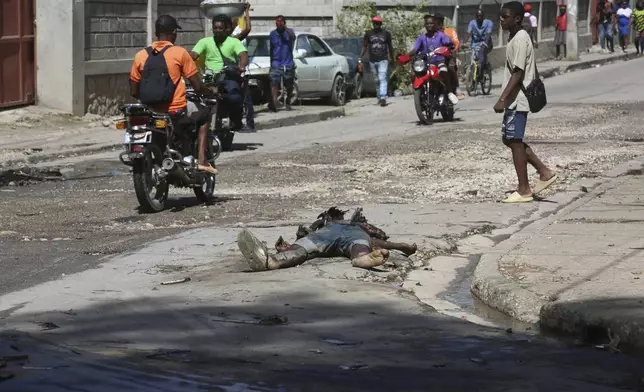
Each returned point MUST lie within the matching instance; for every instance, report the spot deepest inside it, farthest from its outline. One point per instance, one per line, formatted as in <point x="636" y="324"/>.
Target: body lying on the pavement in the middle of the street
<point x="330" y="236"/>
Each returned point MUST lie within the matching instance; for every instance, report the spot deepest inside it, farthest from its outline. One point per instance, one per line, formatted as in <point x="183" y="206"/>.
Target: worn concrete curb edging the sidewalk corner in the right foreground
<point x="516" y="300"/>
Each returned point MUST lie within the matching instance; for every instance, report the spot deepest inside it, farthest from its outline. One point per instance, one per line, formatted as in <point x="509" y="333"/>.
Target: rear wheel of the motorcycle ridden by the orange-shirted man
<point x="151" y="192"/>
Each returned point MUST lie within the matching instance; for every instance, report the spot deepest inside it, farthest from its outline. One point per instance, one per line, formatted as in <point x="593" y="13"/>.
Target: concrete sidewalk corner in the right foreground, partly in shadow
<point x="580" y="270"/>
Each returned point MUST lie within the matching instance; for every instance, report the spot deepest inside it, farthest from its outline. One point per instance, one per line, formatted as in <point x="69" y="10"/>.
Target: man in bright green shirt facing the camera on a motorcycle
<point x="222" y="50"/>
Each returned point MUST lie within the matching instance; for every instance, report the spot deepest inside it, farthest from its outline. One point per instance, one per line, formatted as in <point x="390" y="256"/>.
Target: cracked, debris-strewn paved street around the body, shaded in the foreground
<point x="80" y="246"/>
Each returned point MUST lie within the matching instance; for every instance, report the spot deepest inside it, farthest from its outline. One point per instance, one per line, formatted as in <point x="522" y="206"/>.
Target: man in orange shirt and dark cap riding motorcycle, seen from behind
<point x="151" y="81"/>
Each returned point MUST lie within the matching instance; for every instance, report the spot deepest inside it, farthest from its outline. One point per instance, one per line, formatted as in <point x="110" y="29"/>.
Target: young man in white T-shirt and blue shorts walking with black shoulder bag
<point x="520" y="71"/>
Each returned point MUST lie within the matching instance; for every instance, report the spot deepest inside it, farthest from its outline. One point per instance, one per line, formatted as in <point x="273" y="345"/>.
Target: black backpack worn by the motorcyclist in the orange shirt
<point x="156" y="86"/>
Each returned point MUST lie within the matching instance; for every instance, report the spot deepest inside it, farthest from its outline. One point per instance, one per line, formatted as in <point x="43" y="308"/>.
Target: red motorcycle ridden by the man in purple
<point x="429" y="92"/>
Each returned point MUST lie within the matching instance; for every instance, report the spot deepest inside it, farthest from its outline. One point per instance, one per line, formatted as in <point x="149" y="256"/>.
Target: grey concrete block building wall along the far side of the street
<point x="84" y="48"/>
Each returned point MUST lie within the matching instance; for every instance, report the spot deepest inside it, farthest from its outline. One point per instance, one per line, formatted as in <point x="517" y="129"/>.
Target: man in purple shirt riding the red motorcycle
<point x="430" y="41"/>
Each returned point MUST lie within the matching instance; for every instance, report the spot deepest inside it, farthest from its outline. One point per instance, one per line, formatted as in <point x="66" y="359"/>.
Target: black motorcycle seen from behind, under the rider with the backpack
<point x="161" y="156"/>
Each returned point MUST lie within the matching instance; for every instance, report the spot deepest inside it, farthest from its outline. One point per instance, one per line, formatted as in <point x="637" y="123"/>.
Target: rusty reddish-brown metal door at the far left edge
<point x="17" y="66"/>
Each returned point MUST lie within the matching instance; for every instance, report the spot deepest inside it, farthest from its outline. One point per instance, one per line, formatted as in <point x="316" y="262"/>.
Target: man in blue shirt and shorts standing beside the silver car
<point x="282" y="41"/>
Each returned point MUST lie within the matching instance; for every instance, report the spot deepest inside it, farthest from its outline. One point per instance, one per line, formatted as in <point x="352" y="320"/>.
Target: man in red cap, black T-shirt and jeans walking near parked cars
<point x="381" y="54"/>
